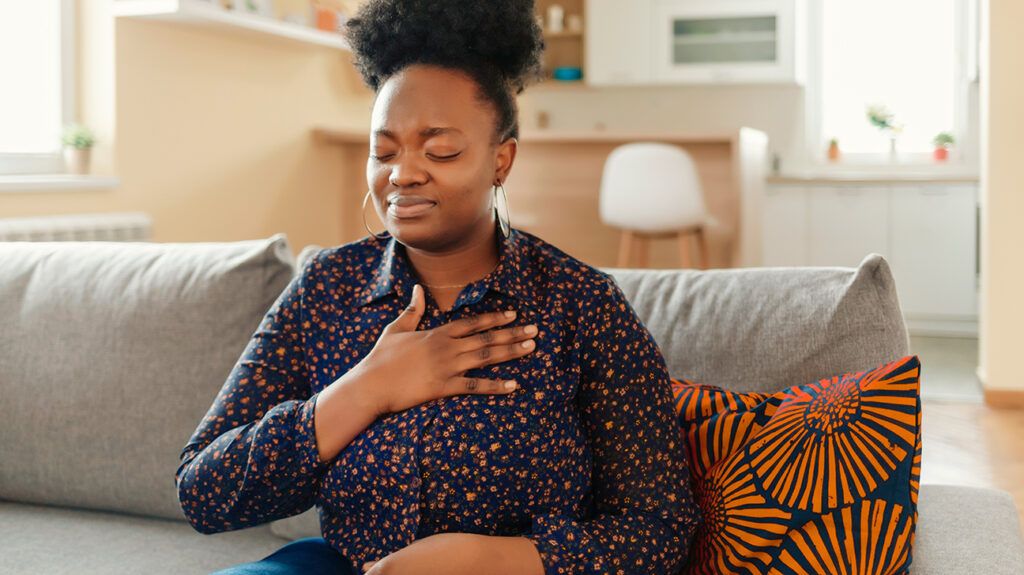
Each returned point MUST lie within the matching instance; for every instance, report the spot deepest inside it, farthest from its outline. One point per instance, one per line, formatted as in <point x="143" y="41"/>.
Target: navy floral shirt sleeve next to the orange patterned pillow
<point x="645" y="516"/>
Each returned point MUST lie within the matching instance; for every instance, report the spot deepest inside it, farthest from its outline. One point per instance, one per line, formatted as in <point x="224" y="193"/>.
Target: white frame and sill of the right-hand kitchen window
<point x="963" y="158"/>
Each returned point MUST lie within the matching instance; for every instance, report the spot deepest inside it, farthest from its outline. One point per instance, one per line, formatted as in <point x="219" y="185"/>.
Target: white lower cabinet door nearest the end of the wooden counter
<point x="785" y="234"/>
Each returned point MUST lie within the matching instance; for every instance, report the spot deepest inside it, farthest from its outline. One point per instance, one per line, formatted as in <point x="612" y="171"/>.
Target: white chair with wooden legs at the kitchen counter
<point x="652" y="190"/>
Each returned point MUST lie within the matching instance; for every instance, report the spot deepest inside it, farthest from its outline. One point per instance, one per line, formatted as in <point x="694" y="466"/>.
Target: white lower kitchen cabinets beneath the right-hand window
<point x="927" y="233"/>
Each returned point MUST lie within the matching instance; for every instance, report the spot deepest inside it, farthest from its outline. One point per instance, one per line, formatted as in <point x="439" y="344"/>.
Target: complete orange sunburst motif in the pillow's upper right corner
<point x="834" y="443"/>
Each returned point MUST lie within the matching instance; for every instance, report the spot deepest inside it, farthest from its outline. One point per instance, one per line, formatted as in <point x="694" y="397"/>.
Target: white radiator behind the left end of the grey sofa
<point x="121" y="227"/>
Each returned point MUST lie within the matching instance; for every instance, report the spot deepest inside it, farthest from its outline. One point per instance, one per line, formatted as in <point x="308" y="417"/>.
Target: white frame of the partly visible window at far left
<point x="16" y="164"/>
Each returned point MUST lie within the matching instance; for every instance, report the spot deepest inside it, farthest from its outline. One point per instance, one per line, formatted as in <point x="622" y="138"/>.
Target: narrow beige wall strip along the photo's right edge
<point x="1003" y="198"/>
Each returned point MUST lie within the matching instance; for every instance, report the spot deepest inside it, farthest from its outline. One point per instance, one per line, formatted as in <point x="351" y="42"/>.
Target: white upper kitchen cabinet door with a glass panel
<point x="744" y="41"/>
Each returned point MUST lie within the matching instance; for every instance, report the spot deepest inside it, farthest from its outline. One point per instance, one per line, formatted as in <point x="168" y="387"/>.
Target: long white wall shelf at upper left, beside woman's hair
<point x="200" y="13"/>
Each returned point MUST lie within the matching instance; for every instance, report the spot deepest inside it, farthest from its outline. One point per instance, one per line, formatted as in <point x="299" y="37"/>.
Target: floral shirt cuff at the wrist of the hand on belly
<point x="565" y="547"/>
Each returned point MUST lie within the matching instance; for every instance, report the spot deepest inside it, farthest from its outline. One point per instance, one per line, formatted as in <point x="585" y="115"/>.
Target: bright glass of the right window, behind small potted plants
<point x="908" y="57"/>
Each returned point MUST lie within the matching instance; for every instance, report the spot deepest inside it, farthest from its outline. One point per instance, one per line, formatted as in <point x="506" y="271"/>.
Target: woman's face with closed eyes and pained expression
<point x="432" y="140"/>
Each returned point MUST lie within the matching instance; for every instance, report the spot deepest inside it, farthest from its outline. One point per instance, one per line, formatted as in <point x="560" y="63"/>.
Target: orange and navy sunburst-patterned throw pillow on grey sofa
<point x="819" y="478"/>
